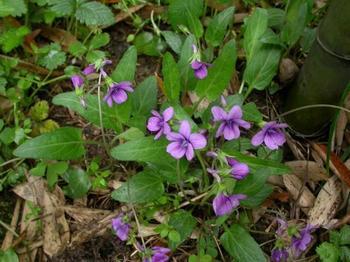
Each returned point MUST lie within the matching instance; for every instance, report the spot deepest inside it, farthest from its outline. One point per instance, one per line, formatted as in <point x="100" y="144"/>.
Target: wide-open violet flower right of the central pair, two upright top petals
<point x="230" y="122"/>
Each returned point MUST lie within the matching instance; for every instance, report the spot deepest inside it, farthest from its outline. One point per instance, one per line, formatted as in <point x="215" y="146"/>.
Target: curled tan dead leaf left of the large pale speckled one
<point x="305" y="198"/>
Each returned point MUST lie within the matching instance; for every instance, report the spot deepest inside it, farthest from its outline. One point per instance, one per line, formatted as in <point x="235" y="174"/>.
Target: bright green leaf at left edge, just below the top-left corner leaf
<point x="13" y="38"/>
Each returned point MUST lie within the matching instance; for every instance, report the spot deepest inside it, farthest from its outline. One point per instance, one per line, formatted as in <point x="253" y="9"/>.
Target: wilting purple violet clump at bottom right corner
<point x="291" y="240"/>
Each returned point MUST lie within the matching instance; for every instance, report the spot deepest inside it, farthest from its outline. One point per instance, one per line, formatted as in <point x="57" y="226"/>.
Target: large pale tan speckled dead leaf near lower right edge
<point x="326" y="204"/>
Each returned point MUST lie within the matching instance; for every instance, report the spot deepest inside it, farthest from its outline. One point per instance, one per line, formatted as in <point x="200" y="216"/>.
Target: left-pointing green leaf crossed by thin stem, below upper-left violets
<point x="111" y="116"/>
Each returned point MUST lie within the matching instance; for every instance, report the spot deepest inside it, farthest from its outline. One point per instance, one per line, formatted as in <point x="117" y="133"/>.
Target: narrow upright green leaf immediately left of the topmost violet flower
<point x="188" y="79"/>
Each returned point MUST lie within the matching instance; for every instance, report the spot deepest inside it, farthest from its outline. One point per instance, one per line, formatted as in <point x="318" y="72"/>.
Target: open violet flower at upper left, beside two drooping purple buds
<point x="117" y="93"/>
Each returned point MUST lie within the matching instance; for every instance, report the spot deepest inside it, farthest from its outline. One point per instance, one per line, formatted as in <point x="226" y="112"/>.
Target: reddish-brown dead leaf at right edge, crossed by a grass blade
<point x="335" y="164"/>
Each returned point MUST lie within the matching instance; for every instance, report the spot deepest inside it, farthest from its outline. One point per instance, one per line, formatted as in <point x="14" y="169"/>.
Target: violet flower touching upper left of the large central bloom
<point x="159" y="122"/>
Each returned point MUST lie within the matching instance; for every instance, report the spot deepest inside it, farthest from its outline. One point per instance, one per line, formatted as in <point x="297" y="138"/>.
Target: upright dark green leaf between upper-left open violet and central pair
<point x="144" y="98"/>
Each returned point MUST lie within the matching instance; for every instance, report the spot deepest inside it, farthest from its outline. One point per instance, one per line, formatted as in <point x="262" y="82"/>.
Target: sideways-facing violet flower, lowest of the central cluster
<point x="223" y="205"/>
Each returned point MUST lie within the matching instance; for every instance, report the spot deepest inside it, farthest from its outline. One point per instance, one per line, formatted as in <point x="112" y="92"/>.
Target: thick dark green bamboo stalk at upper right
<point x="324" y="75"/>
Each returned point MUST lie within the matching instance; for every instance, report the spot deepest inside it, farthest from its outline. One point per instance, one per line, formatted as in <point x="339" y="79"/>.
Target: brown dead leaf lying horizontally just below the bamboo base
<point x="309" y="169"/>
